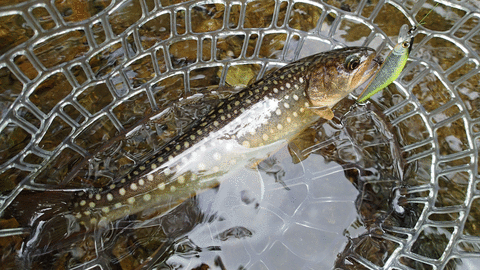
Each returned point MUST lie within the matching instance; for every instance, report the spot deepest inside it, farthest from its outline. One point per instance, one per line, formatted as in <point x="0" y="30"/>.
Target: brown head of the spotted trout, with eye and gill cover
<point x="335" y="74"/>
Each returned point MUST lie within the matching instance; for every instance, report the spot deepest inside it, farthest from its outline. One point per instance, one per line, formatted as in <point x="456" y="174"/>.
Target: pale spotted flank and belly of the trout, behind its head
<point x="250" y="137"/>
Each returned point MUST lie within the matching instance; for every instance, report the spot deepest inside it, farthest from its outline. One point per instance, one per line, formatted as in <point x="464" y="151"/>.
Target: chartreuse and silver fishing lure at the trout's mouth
<point x="393" y="64"/>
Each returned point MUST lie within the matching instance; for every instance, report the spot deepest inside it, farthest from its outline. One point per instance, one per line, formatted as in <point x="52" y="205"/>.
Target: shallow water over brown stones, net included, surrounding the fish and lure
<point x="391" y="185"/>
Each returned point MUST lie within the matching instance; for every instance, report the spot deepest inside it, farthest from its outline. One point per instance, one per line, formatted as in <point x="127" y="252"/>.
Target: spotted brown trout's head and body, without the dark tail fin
<point x="244" y="128"/>
